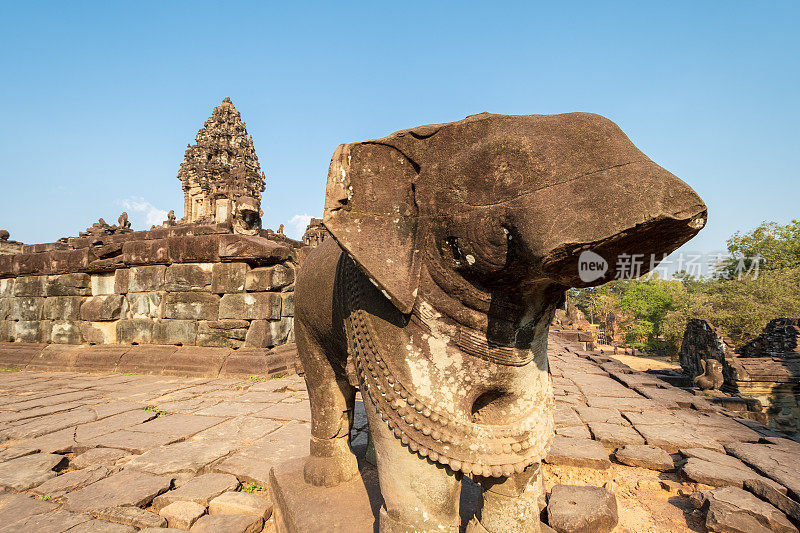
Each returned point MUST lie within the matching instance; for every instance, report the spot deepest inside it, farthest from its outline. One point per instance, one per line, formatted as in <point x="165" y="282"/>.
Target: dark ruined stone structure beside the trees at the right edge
<point x="766" y="369"/>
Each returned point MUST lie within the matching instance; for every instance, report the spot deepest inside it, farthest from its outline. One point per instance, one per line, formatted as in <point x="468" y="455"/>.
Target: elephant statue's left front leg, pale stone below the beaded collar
<point x="419" y="495"/>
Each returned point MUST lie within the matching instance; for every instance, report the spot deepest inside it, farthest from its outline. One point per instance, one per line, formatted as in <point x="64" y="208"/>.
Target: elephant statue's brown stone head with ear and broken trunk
<point x="503" y="206"/>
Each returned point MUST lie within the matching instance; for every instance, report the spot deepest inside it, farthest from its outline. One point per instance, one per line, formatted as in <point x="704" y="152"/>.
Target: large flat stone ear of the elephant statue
<point x="371" y="211"/>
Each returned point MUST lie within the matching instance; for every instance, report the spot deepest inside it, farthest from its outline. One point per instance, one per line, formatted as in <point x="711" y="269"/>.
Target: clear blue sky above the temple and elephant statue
<point x="101" y="99"/>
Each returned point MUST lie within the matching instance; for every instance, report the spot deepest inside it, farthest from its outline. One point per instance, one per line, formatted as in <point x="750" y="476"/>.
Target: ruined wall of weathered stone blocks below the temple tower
<point x="186" y="285"/>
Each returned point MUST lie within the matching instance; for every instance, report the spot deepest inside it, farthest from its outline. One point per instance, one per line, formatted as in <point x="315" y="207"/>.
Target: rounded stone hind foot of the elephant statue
<point x="331" y="462"/>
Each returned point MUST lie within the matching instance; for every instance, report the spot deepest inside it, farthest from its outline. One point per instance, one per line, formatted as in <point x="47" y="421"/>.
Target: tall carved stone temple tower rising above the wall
<point x="220" y="169"/>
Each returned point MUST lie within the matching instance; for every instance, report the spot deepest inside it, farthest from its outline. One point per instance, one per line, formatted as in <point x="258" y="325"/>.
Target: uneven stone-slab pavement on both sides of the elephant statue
<point x="123" y="452"/>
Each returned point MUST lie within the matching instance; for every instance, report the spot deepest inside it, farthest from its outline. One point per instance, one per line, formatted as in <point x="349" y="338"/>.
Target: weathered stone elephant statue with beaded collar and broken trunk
<point x="453" y="244"/>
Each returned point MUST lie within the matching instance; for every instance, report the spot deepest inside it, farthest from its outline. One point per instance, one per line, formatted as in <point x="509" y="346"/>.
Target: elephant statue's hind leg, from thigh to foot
<point x="332" y="399"/>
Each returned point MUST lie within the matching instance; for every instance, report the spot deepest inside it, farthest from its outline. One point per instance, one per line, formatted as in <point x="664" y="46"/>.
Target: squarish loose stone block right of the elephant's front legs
<point x="578" y="509"/>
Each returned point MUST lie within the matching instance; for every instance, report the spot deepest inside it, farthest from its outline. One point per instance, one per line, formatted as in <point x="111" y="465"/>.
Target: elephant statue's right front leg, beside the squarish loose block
<point x="511" y="505"/>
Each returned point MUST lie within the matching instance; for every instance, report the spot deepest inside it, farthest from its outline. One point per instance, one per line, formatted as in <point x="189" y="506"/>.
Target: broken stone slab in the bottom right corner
<point x="733" y="510"/>
